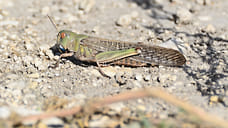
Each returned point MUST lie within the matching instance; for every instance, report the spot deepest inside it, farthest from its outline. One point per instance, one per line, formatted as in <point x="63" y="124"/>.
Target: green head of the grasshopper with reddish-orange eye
<point x="64" y="39"/>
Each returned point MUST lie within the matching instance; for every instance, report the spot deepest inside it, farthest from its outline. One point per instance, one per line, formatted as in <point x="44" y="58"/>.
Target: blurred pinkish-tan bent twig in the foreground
<point x="148" y="92"/>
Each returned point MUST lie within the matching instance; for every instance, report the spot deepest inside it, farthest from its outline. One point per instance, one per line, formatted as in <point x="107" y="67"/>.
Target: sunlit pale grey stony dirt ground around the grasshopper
<point x="197" y="28"/>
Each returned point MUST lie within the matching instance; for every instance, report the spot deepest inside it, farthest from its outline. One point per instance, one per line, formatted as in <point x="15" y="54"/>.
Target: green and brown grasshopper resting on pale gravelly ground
<point x="105" y="52"/>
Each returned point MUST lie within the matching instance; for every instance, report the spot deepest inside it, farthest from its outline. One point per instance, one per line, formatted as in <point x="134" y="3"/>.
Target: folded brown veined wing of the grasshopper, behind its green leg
<point x="154" y="55"/>
